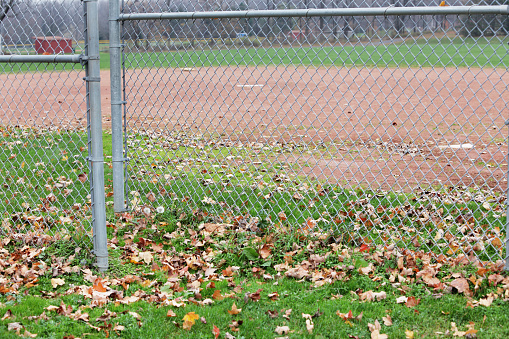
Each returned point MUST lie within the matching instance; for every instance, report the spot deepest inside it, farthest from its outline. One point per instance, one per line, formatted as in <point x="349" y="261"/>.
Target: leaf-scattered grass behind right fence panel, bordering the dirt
<point x="210" y="178"/>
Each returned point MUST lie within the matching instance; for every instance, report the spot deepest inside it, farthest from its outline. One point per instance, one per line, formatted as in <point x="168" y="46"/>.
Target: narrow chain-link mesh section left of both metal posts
<point x="43" y="125"/>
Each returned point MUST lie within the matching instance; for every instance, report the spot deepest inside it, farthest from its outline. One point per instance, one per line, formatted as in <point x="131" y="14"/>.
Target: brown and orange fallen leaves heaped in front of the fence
<point x="172" y="261"/>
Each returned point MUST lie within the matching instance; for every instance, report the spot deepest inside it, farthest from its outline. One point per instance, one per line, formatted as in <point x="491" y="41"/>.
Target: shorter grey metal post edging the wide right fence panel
<point x="116" y="108"/>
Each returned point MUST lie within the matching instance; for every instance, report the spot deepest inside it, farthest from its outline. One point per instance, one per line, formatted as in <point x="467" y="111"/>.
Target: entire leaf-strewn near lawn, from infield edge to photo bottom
<point x="323" y="270"/>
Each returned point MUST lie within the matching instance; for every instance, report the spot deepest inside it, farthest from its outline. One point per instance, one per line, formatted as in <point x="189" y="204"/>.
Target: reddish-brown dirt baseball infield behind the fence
<point x="384" y="127"/>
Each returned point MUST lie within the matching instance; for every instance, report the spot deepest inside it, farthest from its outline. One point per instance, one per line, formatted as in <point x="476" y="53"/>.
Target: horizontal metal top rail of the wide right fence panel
<point x="314" y="12"/>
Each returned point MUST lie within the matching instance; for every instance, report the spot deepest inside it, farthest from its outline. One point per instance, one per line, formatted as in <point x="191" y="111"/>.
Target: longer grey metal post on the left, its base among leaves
<point x="96" y="144"/>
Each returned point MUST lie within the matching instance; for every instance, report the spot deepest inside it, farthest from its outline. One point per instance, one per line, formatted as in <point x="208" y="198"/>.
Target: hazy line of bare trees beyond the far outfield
<point x="21" y="20"/>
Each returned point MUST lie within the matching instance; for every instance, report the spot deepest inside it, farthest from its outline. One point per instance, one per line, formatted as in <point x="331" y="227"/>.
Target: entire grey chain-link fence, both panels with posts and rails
<point x="380" y="125"/>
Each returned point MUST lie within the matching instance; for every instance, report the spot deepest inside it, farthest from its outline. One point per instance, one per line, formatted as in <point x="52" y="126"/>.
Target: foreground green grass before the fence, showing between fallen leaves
<point x="433" y="314"/>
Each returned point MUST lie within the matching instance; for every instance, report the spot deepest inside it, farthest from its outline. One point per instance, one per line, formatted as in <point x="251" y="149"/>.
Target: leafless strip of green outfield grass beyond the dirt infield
<point x="419" y="52"/>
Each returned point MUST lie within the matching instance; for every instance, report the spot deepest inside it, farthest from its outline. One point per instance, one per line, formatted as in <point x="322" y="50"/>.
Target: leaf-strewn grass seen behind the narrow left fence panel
<point x="43" y="185"/>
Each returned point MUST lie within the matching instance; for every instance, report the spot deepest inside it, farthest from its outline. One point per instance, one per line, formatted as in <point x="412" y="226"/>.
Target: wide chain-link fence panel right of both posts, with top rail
<point x="374" y="126"/>
